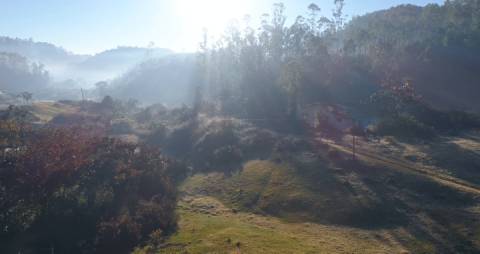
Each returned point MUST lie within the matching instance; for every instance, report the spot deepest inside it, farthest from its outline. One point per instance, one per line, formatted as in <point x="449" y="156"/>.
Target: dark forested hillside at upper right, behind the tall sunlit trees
<point x="436" y="47"/>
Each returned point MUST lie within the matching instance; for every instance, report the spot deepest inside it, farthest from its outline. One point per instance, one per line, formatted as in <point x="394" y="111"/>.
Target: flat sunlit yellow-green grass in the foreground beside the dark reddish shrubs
<point x="206" y="226"/>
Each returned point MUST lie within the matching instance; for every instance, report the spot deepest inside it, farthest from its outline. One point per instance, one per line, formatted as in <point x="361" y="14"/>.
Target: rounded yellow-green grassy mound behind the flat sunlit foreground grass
<point x="258" y="186"/>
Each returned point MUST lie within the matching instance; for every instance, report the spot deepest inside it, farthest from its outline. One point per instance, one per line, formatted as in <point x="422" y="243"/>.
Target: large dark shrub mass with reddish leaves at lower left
<point x="78" y="193"/>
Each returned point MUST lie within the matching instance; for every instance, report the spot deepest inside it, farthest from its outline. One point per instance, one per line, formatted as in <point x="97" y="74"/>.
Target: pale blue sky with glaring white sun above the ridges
<point x="91" y="26"/>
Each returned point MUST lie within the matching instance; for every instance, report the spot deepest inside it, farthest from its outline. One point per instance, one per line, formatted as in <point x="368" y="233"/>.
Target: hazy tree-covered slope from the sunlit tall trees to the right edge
<point x="274" y="71"/>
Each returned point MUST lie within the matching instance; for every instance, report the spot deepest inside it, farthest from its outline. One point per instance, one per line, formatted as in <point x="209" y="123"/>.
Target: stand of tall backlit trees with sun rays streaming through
<point x="264" y="74"/>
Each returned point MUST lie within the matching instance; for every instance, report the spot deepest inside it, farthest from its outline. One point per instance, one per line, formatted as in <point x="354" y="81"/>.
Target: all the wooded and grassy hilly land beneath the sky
<point x="318" y="134"/>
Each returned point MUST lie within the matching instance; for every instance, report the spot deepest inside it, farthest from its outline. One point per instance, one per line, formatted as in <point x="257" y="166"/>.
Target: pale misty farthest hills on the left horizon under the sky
<point x="85" y="69"/>
